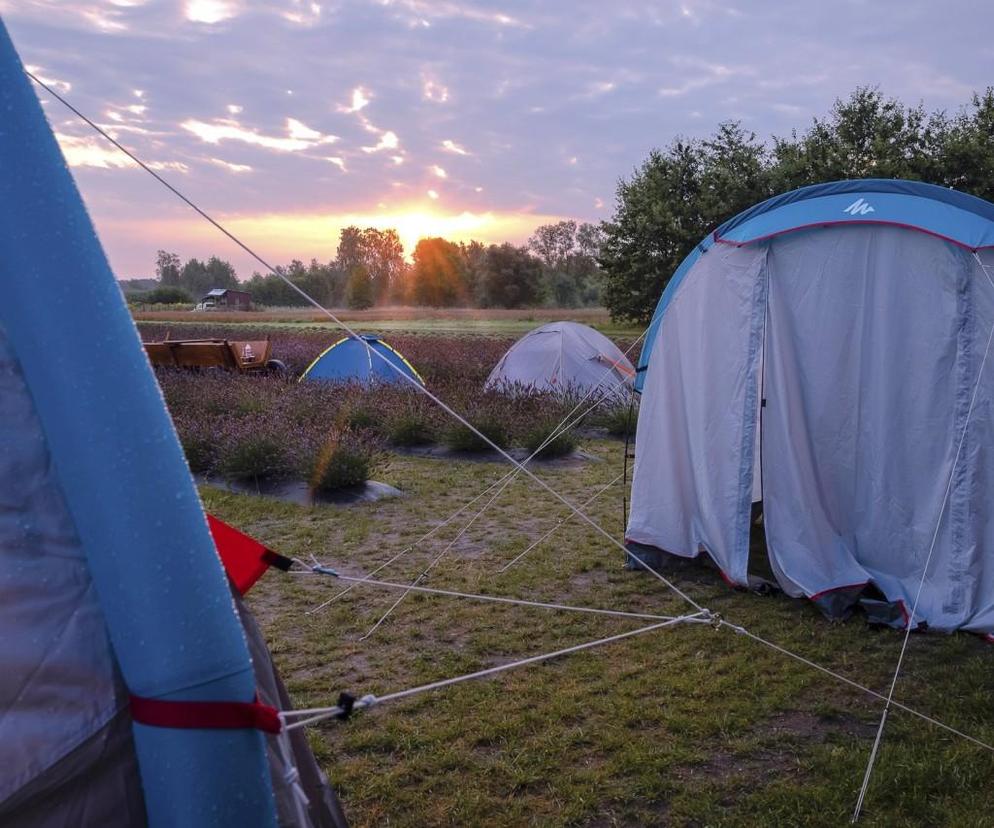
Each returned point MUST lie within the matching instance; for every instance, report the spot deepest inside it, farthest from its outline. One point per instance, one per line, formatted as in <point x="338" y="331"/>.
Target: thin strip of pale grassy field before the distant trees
<point x="402" y="319"/>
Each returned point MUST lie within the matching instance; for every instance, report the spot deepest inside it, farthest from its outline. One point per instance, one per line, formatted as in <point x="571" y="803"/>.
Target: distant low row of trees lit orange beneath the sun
<point x="558" y="266"/>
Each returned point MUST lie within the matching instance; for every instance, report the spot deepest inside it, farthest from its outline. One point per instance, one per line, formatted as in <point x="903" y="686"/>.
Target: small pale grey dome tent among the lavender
<point x="564" y="356"/>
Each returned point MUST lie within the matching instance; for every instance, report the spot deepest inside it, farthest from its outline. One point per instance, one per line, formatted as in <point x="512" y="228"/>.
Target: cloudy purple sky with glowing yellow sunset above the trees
<point x="290" y="119"/>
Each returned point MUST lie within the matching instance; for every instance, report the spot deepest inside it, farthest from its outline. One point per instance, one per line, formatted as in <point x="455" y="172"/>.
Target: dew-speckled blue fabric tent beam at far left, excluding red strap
<point x="160" y="584"/>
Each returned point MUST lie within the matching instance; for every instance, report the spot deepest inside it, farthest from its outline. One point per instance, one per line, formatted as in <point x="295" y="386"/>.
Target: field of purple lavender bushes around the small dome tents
<point x="272" y="428"/>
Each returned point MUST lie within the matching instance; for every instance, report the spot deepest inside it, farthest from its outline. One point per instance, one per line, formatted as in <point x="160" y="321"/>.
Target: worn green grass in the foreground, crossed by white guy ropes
<point x="683" y="726"/>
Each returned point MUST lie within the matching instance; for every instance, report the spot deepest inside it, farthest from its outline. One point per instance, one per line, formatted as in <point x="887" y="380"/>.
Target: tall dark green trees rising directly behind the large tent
<point x="681" y="193"/>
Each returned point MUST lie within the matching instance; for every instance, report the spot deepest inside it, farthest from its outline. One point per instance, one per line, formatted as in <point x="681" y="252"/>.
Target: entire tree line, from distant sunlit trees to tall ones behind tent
<point x="667" y="205"/>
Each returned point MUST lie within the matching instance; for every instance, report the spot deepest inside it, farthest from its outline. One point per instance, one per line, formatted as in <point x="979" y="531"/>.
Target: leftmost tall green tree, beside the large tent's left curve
<point x="669" y="204"/>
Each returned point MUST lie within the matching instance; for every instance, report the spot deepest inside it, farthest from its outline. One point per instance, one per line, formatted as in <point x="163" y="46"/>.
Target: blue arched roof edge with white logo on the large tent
<point x="956" y="217"/>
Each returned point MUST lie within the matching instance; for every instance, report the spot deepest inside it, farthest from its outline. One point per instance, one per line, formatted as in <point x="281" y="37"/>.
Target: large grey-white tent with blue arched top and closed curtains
<point x="826" y="352"/>
